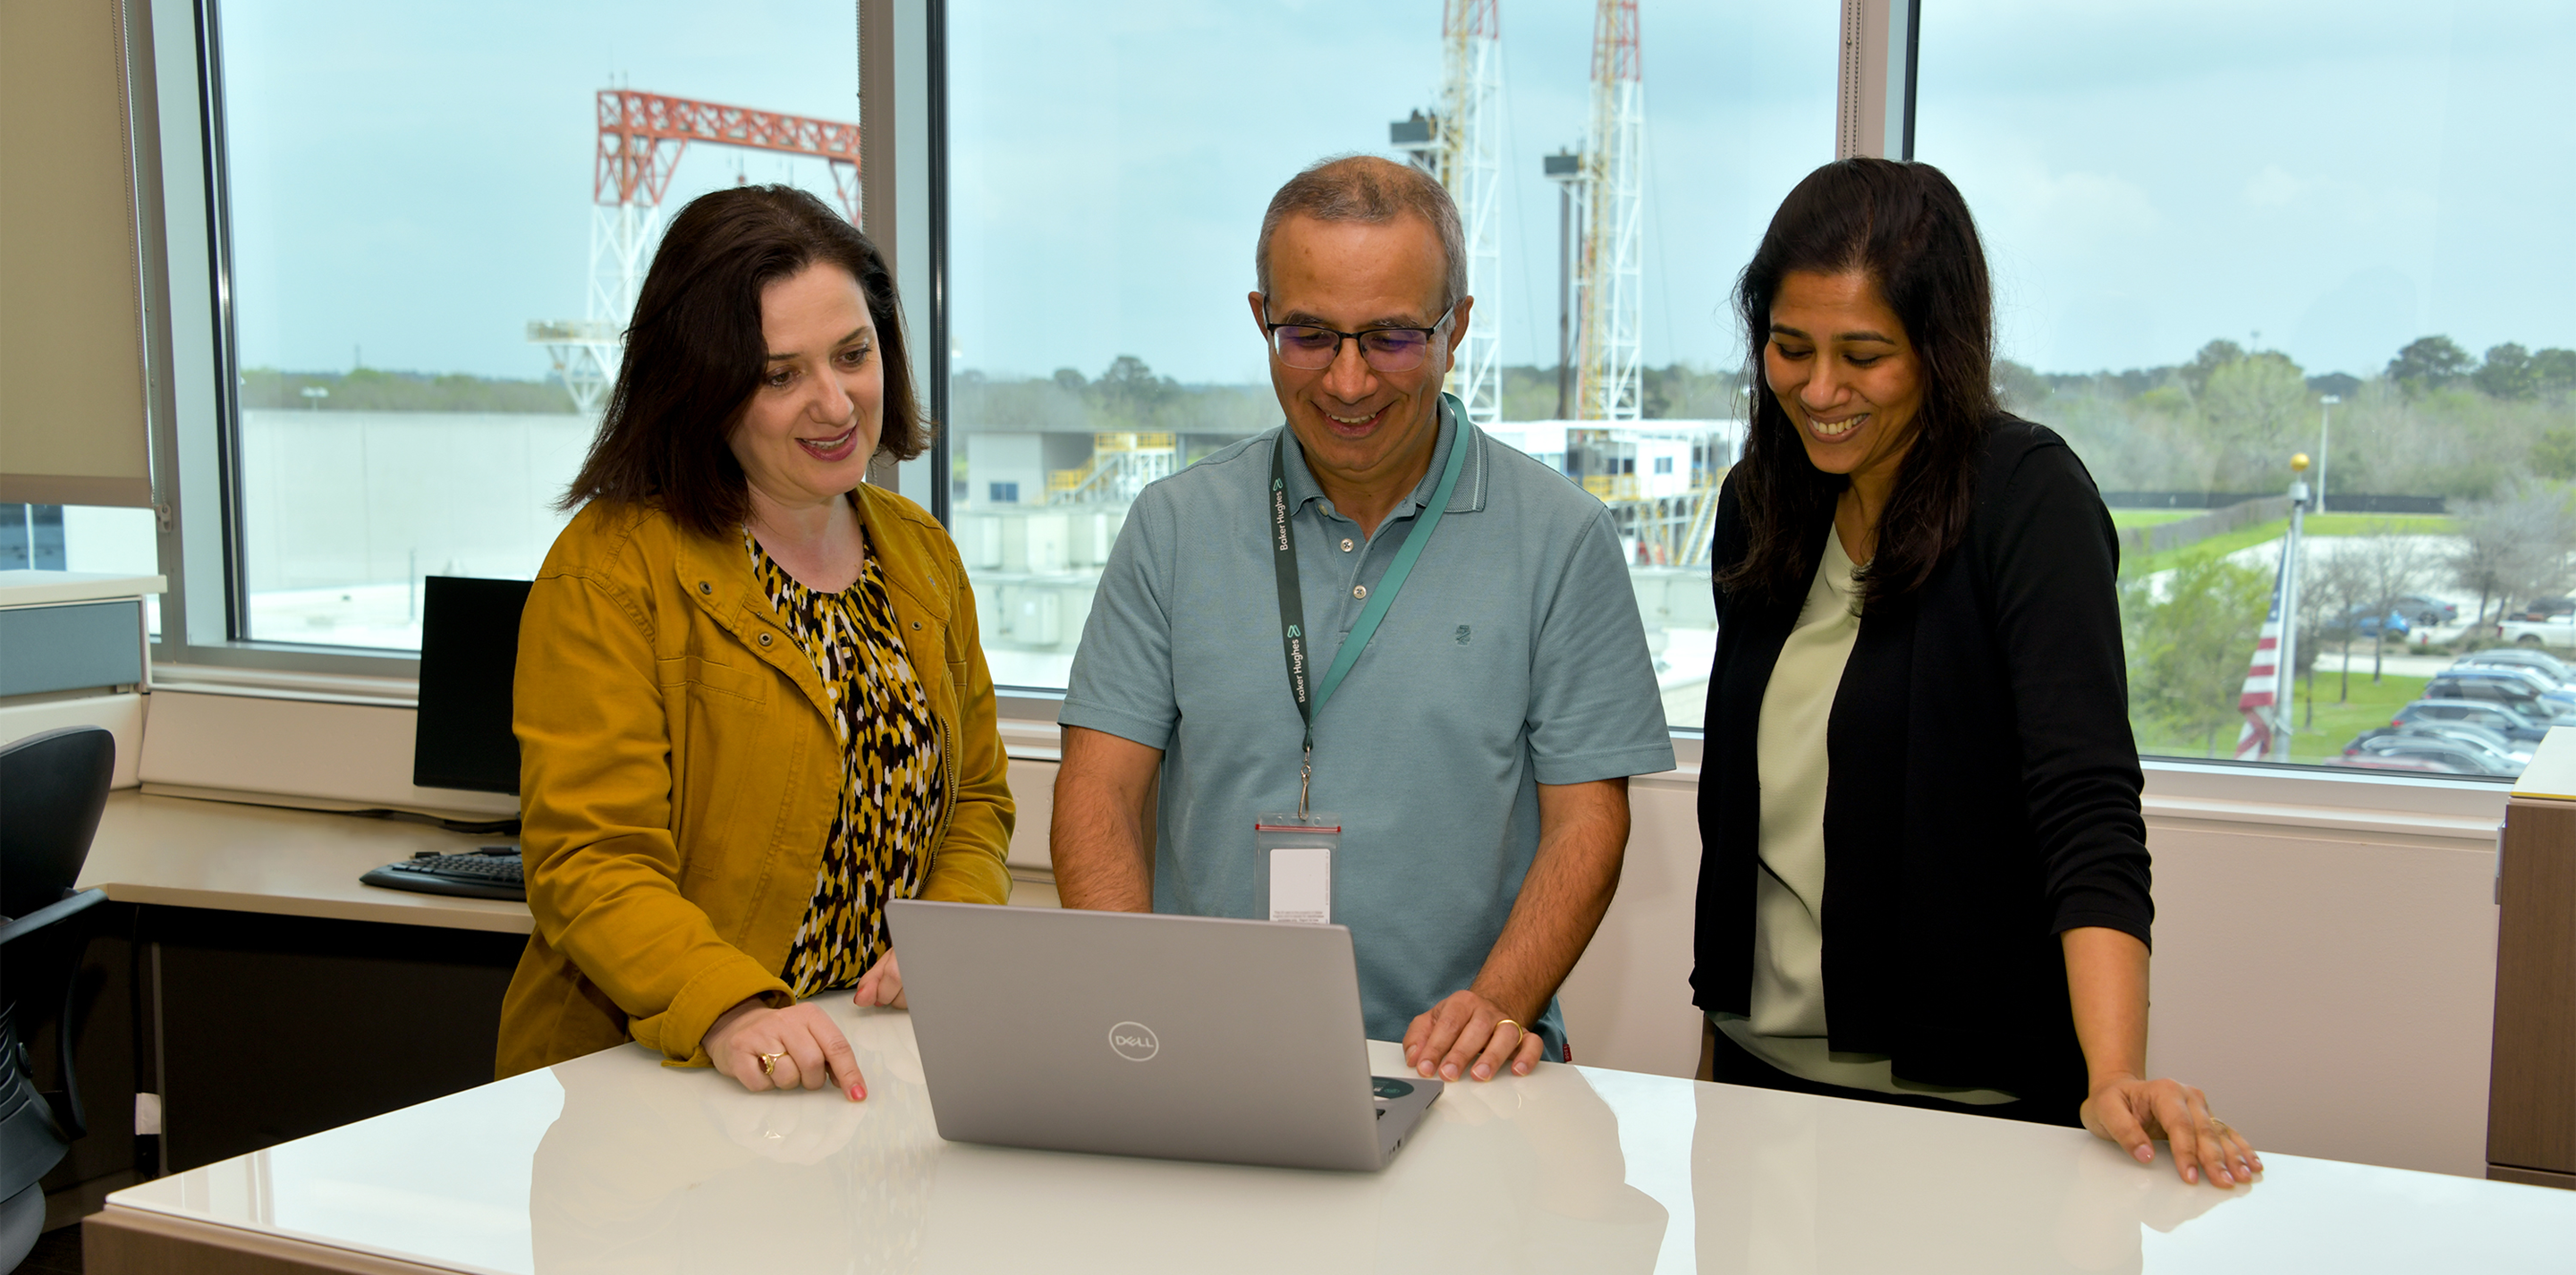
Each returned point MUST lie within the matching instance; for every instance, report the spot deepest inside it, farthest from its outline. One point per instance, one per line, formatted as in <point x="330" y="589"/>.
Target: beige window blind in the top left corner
<point x="71" y="297"/>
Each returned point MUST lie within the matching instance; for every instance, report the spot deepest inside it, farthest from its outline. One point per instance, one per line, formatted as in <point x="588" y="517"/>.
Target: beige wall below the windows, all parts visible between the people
<point x="2327" y="975"/>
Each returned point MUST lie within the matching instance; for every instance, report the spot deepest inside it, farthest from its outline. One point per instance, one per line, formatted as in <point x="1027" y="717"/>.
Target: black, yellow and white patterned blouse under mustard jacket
<point x="893" y="782"/>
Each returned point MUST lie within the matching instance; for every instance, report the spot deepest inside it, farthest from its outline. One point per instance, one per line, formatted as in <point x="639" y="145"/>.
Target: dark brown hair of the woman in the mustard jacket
<point x="694" y="352"/>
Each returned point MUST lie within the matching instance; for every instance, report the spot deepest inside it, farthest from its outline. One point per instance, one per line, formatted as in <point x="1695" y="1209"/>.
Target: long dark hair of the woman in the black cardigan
<point x="1910" y="233"/>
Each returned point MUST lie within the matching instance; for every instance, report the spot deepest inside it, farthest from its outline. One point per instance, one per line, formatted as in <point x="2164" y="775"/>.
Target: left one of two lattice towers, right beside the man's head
<point x="1472" y="171"/>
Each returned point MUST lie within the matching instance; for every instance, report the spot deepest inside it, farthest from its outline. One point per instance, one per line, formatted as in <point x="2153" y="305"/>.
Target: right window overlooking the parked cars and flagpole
<point x="2230" y="238"/>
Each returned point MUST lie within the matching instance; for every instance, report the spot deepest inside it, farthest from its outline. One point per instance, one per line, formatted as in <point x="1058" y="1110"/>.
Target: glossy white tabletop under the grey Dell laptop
<point x="620" y="1166"/>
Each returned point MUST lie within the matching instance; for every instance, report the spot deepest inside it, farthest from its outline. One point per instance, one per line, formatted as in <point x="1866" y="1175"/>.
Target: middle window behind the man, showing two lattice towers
<point x="1106" y="344"/>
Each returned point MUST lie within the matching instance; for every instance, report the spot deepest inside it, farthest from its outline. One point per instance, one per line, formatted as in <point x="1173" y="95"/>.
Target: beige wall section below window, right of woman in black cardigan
<point x="2333" y="990"/>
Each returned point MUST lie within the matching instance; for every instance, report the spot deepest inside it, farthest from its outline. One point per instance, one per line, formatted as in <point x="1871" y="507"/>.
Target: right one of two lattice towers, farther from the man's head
<point x="1614" y="249"/>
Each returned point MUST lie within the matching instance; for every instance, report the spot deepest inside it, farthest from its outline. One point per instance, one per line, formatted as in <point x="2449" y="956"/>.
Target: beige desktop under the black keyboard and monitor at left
<point x="267" y="859"/>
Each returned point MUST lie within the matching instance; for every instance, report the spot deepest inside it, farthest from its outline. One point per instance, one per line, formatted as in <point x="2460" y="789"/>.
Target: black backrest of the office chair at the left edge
<point x="53" y="792"/>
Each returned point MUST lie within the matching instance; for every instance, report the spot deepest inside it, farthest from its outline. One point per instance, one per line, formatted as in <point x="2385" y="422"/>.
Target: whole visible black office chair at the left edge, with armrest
<point x="53" y="792"/>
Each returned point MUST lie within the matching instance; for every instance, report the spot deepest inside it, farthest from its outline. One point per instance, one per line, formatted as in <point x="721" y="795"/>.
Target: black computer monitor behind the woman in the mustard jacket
<point x="468" y="656"/>
